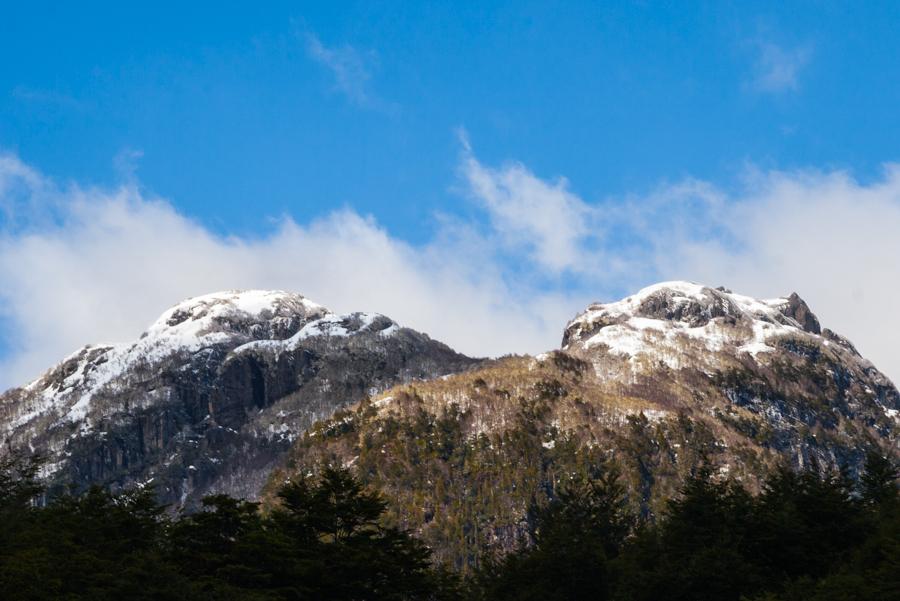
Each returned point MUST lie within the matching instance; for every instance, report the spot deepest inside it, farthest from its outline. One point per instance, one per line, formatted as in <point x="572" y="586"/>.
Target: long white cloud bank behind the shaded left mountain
<point x="110" y="261"/>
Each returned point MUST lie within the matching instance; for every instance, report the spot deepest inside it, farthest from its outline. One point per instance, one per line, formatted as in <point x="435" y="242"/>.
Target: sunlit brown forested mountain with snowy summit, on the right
<point x="658" y="383"/>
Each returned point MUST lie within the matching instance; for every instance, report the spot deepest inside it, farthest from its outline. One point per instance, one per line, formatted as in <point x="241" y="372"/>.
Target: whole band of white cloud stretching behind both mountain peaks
<point x="86" y="265"/>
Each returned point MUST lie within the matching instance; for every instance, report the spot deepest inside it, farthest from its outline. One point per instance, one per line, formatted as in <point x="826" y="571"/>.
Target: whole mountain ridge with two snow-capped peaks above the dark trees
<point x="232" y="391"/>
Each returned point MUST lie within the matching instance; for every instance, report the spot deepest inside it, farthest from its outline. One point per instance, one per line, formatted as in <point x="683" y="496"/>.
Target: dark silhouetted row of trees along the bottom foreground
<point x="810" y="535"/>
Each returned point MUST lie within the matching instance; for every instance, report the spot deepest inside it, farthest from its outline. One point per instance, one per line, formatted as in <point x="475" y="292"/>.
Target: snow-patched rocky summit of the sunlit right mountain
<point x="752" y="359"/>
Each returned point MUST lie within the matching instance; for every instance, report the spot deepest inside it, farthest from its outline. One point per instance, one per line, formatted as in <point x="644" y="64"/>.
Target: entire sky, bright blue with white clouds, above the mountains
<point x="558" y="144"/>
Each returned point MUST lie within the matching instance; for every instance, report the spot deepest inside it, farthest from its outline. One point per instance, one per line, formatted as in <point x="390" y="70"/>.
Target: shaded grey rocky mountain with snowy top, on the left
<point x="212" y="395"/>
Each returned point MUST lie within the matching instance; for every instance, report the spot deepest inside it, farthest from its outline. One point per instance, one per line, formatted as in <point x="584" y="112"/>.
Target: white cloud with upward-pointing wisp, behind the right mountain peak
<point x="824" y="235"/>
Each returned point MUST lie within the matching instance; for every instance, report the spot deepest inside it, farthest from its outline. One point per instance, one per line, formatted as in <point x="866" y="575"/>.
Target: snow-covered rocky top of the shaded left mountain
<point x="219" y="324"/>
